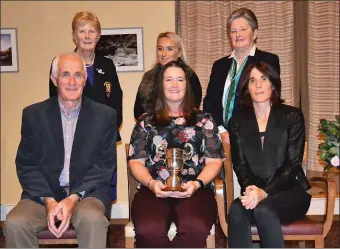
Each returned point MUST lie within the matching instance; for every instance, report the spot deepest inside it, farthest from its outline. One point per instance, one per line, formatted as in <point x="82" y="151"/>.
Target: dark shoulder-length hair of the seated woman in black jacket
<point x="274" y="78"/>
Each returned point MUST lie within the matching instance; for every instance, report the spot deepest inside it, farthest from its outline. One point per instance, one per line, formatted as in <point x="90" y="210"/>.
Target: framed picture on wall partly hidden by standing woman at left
<point x="124" y="46"/>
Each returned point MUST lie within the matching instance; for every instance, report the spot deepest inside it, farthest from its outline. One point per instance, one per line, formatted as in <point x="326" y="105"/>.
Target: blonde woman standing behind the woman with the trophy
<point x="170" y="47"/>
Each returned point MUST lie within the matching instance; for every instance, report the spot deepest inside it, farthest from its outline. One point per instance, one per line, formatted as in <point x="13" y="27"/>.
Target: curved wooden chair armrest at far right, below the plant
<point x="330" y="198"/>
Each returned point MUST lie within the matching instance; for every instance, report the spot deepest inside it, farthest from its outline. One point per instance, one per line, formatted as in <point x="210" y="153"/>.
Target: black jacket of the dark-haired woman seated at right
<point x="278" y="166"/>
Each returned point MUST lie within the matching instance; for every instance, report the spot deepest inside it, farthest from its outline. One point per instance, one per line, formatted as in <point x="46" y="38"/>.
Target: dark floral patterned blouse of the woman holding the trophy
<point x="148" y="141"/>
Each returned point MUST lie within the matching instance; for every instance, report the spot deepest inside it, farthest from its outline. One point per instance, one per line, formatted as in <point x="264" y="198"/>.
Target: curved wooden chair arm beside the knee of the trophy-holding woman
<point x="221" y="204"/>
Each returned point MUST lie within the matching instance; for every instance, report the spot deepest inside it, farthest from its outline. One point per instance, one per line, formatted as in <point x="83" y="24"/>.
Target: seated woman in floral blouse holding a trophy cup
<point x="174" y="123"/>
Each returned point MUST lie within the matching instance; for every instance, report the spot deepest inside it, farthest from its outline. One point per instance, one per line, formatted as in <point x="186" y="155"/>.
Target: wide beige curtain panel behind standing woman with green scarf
<point x="202" y="25"/>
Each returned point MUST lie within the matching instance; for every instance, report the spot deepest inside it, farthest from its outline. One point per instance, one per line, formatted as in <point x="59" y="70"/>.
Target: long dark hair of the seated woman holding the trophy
<point x="159" y="107"/>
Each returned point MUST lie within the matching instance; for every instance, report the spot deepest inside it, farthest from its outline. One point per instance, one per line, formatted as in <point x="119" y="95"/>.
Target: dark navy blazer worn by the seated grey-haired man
<point x="40" y="156"/>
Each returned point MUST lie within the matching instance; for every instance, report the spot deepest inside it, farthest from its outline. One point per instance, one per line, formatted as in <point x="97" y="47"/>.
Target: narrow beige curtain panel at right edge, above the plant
<point x="323" y="71"/>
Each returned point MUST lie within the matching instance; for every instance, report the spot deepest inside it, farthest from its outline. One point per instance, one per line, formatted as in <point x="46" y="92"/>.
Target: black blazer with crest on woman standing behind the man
<point x="97" y="92"/>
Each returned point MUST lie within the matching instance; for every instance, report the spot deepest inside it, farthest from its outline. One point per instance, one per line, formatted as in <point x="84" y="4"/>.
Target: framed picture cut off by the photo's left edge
<point x="9" y="50"/>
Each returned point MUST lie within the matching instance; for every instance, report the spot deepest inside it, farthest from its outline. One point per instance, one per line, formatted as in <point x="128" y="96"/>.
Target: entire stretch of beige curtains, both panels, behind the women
<point x="305" y="35"/>
